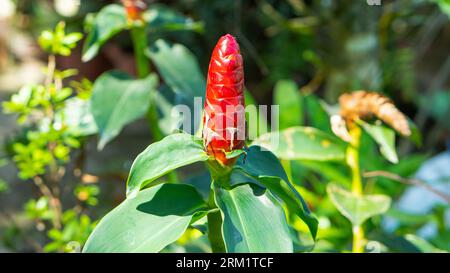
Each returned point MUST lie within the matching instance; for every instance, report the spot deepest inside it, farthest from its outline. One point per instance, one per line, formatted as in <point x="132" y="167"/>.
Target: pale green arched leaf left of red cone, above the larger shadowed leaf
<point x="161" y="157"/>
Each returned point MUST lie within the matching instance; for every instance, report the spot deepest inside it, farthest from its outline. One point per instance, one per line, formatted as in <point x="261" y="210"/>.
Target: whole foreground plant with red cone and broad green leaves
<point x="243" y="207"/>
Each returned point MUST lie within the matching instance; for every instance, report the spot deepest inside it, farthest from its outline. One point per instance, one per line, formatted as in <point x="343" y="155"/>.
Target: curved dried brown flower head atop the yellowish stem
<point x="364" y="105"/>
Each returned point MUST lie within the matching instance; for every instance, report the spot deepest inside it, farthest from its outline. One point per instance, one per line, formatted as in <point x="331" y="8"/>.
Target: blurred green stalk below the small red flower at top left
<point x="139" y="38"/>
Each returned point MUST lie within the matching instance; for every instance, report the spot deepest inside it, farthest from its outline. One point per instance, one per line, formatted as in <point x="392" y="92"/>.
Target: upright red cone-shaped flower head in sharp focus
<point x="224" y="114"/>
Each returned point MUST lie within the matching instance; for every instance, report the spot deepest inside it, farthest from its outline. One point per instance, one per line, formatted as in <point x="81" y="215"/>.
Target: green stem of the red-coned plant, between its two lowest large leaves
<point x="215" y="226"/>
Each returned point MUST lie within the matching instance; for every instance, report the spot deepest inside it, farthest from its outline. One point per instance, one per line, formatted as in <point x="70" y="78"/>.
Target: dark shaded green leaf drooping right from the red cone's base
<point x="263" y="166"/>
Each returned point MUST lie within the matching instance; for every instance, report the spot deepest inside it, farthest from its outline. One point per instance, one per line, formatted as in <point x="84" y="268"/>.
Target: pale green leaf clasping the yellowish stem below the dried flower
<point x="357" y="208"/>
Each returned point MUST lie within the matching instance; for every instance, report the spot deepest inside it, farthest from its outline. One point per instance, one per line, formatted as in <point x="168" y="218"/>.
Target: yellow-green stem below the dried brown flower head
<point x="352" y="157"/>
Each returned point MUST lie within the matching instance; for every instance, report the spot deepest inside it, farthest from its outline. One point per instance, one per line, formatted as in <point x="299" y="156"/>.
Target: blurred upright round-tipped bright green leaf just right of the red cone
<point x="288" y="97"/>
